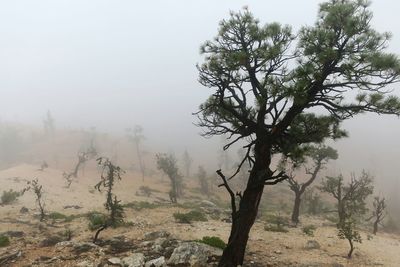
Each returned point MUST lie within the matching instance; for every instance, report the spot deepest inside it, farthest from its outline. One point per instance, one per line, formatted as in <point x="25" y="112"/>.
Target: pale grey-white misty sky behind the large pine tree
<point x="112" y="64"/>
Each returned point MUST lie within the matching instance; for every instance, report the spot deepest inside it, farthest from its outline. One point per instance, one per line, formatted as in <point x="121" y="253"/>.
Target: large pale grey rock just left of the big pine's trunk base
<point x="193" y="254"/>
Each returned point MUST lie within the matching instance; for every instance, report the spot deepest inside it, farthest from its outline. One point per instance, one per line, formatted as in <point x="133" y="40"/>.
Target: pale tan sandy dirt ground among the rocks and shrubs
<point x="264" y="248"/>
